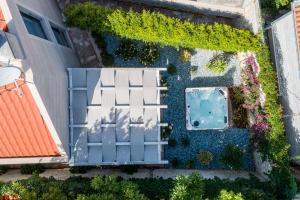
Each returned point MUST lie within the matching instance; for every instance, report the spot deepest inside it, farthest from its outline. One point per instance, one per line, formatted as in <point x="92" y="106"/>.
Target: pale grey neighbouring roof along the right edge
<point x="284" y="44"/>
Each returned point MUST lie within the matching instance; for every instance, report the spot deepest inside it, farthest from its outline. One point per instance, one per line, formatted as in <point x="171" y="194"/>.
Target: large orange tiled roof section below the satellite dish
<point x="23" y="132"/>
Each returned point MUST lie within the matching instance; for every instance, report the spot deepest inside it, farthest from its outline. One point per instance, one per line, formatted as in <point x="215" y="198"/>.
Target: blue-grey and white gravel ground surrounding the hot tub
<point x="211" y="140"/>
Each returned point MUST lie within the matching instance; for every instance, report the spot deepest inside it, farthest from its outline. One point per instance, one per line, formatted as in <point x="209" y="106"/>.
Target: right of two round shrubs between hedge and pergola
<point x="148" y="54"/>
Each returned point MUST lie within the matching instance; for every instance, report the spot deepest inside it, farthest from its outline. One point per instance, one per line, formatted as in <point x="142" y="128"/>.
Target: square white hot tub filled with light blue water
<point x="206" y="108"/>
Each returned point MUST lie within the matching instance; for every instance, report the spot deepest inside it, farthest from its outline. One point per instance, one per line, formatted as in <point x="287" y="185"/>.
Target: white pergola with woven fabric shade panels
<point x="115" y="116"/>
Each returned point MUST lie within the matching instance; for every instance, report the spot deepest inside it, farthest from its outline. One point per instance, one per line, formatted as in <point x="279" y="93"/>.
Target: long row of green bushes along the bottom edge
<point x="110" y="187"/>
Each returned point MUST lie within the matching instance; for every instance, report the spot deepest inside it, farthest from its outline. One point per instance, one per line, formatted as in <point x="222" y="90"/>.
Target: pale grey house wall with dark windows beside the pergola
<point x="44" y="62"/>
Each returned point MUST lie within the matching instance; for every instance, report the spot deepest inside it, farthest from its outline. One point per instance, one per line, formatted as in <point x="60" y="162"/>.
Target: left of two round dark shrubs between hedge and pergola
<point x="127" y="50"/>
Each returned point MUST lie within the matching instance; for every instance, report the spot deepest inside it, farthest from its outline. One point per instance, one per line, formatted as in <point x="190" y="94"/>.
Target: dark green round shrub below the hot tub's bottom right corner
<point x="232" y="156"/>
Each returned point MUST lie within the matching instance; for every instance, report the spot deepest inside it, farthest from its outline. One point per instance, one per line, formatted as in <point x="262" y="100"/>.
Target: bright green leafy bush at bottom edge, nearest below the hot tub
<point x="188" y="187"/>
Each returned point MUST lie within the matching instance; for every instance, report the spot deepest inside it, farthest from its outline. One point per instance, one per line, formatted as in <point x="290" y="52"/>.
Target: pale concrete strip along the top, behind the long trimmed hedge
<point x="246" y="13"/>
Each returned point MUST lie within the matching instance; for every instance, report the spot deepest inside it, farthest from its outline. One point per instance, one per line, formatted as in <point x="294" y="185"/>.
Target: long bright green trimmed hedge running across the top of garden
<point x="157" y="28"/>
